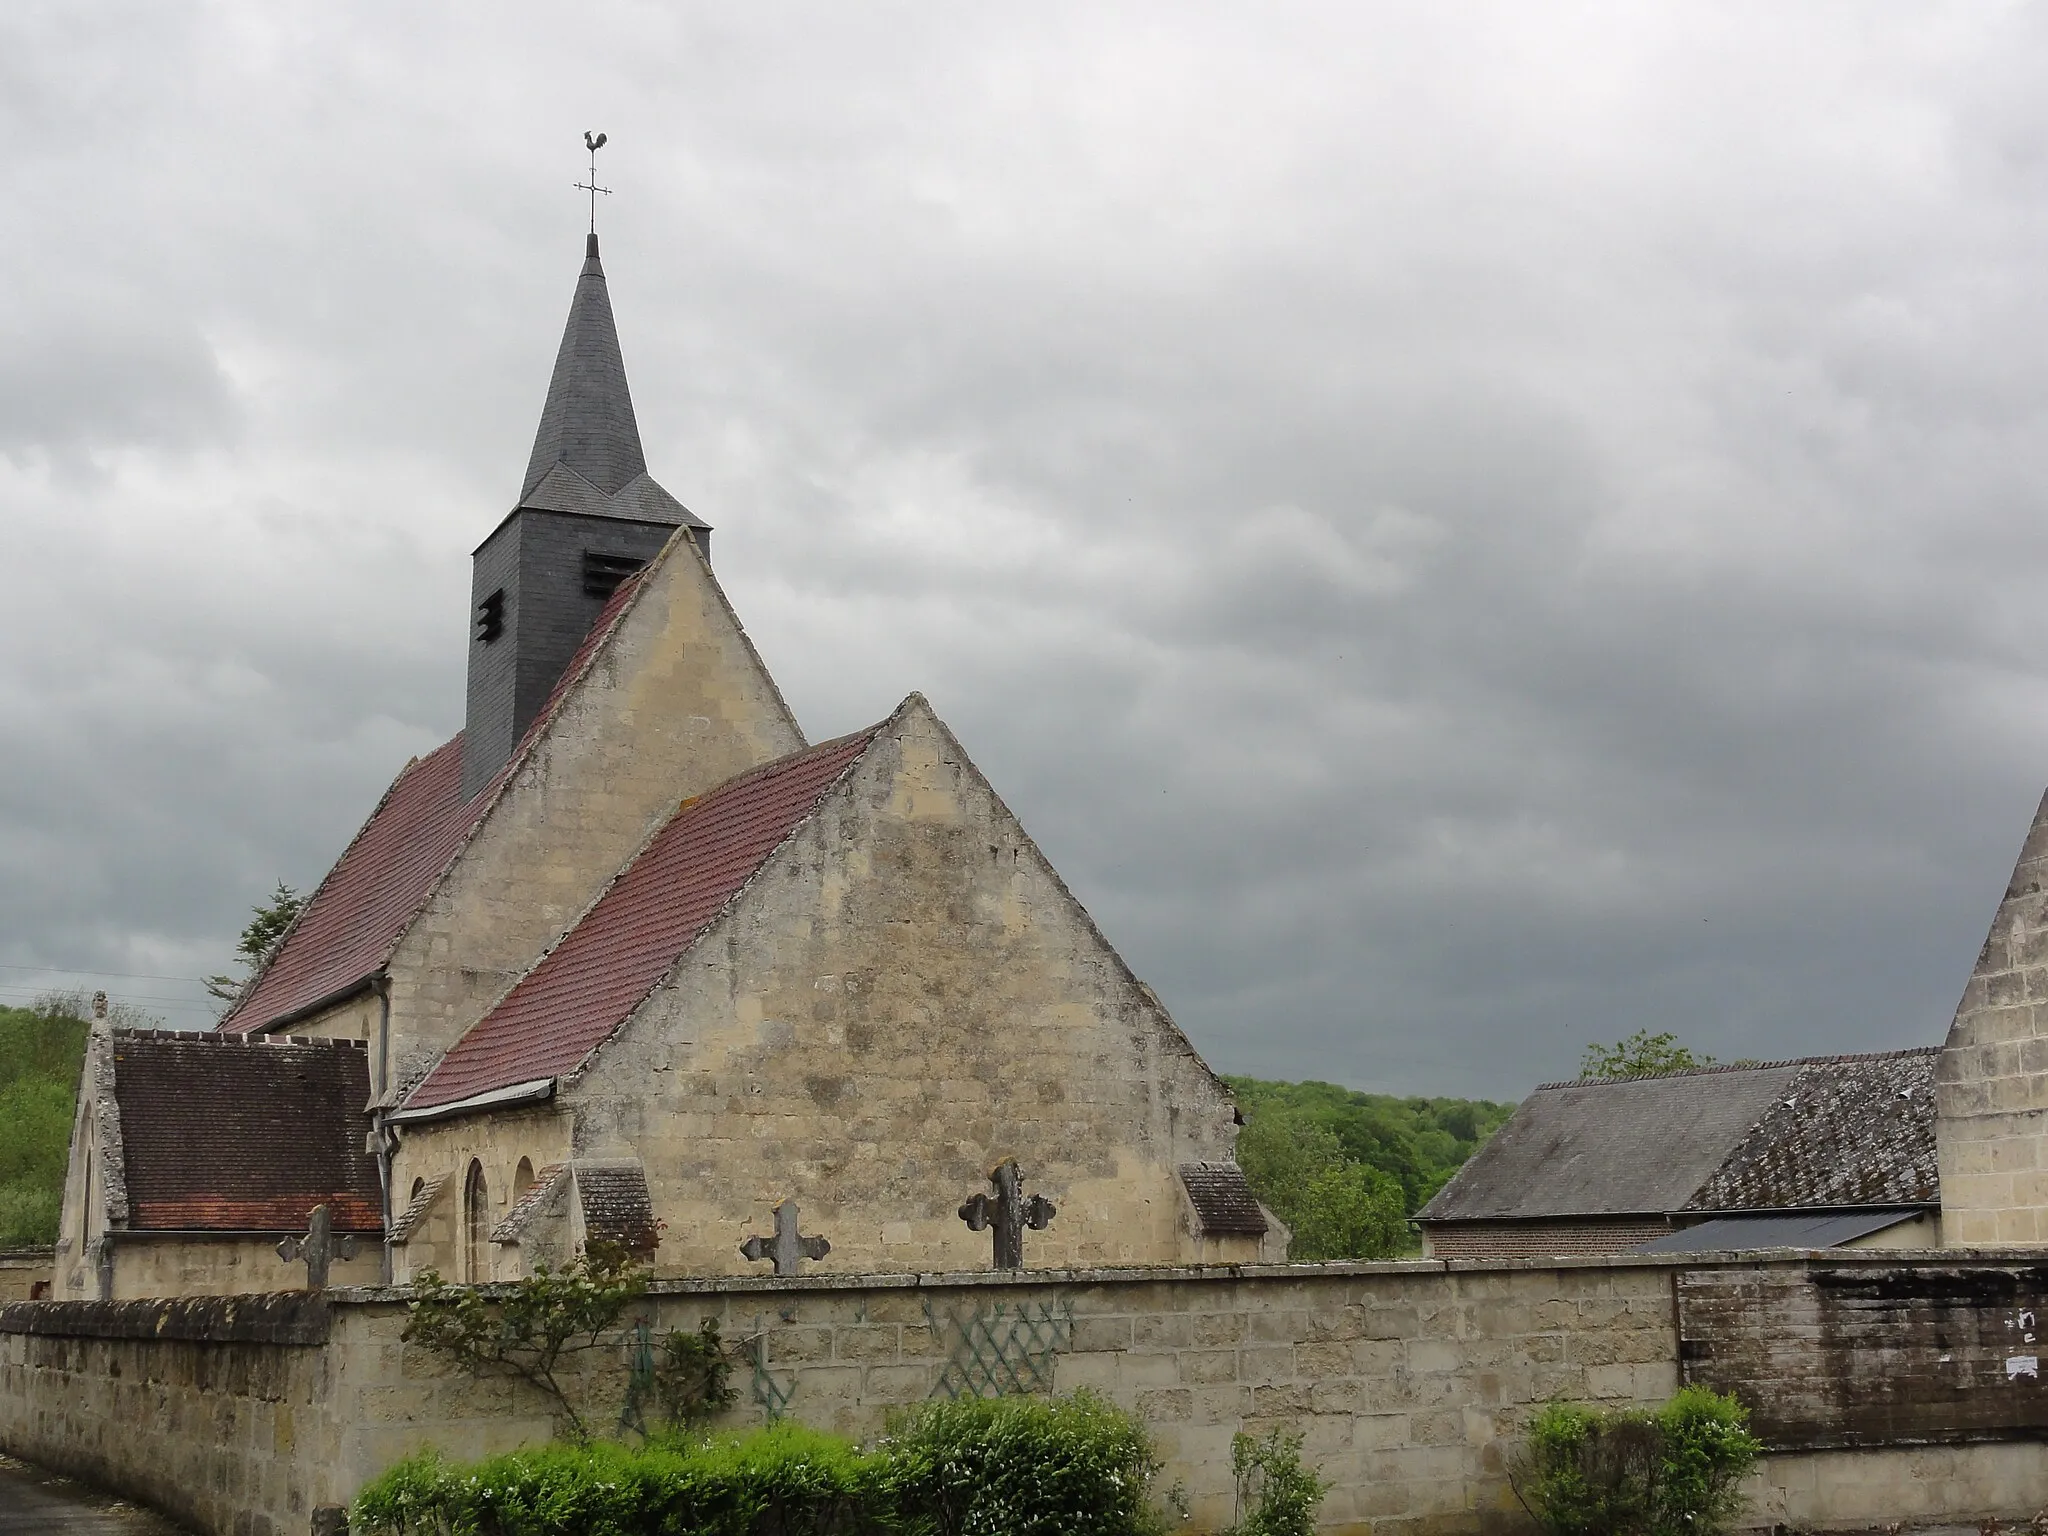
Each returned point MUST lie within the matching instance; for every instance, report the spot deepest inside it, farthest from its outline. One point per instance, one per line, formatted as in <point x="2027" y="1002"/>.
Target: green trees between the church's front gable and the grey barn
<point x="1347" y="1170"/>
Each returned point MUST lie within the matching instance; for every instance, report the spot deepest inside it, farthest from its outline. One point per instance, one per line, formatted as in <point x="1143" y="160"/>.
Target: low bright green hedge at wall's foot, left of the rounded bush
<point x="777" y="1482"/>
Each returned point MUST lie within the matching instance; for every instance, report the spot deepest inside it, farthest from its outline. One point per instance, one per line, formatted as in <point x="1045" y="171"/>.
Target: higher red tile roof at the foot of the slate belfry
<point x="359" y="912"/>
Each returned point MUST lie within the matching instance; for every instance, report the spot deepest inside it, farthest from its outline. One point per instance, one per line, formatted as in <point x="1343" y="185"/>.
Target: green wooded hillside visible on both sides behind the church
<point x="1345" y="1170"/>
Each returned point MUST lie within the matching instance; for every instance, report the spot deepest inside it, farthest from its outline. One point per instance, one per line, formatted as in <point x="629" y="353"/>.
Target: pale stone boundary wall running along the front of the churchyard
<point x="1410" y="1383"/>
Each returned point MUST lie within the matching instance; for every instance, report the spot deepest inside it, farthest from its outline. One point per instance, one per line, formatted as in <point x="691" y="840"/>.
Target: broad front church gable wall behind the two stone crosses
<point x="900" y="1000"/>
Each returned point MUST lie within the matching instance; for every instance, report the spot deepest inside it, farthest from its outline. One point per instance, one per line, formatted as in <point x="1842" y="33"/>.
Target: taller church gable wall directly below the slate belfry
<point x="675" y="706"/>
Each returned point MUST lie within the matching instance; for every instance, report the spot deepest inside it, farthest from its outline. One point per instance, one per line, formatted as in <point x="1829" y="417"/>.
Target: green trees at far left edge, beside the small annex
<point x="40" y="1058"/>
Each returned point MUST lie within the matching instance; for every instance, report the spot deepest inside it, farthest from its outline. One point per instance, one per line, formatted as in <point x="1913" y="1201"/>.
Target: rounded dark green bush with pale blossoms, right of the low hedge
<point x="1023" y="1467"/>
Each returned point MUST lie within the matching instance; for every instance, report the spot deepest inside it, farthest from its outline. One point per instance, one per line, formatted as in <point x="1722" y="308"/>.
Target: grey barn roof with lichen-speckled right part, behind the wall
<point x="1824" y="1132"/>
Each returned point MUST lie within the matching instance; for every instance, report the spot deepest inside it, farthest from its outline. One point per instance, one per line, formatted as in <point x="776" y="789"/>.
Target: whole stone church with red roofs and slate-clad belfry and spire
<point x="632" y="957"/>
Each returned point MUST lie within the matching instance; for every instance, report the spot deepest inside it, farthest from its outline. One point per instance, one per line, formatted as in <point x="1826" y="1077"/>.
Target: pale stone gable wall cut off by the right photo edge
<point x="1992" y="1082"/>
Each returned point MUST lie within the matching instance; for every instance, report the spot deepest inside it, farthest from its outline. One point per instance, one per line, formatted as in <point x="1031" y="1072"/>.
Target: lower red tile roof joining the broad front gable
<point x="615" y="955"/>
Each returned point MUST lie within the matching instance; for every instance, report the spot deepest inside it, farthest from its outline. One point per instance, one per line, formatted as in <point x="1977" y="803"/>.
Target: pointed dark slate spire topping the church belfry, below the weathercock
<point x="589" y="419"/>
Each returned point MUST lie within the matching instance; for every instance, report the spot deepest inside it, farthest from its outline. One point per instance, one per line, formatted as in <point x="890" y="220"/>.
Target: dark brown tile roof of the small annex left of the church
<point x="245" y="1136"/>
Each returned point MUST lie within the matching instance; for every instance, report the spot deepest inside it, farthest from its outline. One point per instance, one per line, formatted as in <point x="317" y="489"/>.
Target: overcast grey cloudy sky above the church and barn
<point x="1463" y="529"/>
